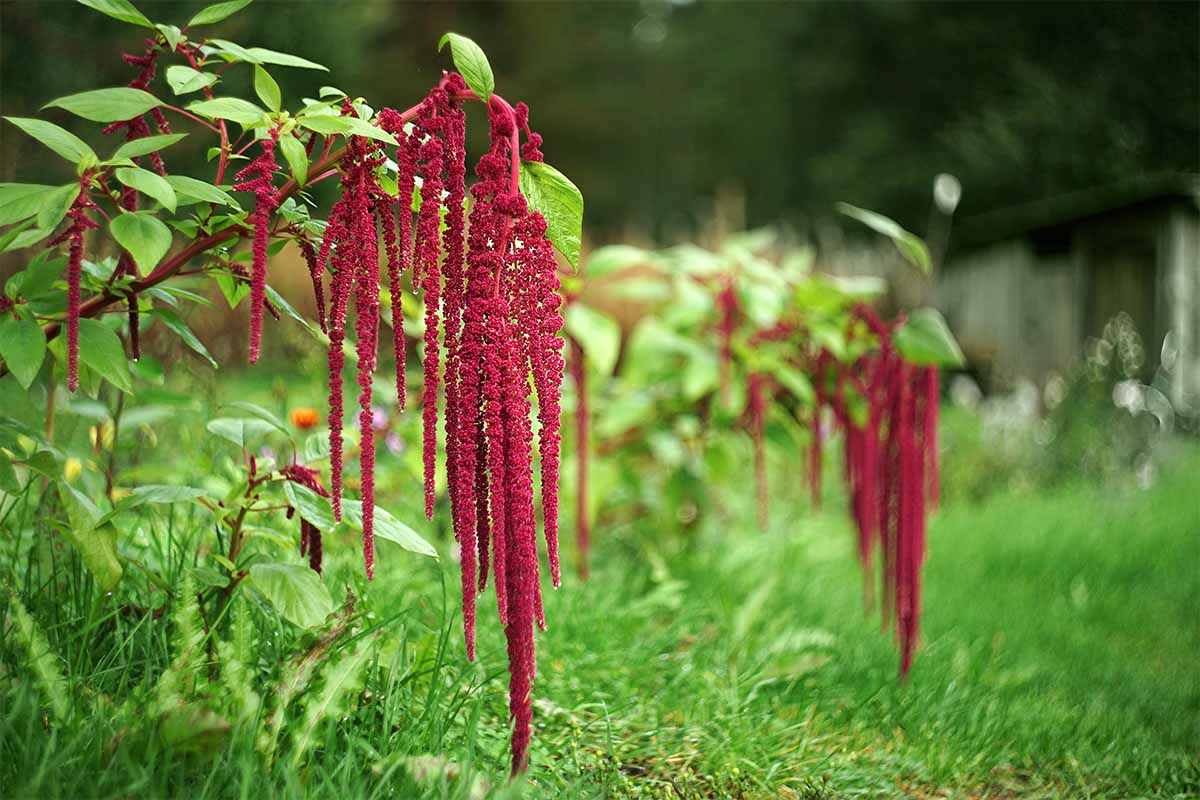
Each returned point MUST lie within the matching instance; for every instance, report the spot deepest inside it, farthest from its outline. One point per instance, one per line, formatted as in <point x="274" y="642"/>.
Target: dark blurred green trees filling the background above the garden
<point x="652" y="106"/>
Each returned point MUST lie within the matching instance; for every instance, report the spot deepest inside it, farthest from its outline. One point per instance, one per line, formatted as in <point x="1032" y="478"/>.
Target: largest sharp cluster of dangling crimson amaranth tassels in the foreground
<point x="495" y="296"/>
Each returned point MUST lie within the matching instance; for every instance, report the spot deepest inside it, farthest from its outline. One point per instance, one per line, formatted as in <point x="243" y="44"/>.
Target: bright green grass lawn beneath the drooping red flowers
<point x="1059" y="660"/>
